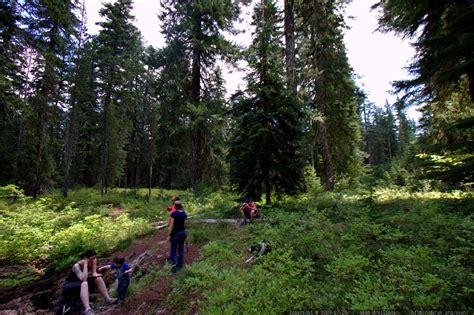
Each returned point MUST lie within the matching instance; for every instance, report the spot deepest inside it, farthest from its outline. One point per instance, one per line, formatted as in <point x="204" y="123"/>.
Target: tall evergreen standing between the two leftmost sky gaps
<point x="118" y="45"/>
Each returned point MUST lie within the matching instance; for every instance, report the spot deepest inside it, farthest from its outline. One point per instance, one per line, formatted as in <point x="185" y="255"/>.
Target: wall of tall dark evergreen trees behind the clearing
<point x="82" y="110"/>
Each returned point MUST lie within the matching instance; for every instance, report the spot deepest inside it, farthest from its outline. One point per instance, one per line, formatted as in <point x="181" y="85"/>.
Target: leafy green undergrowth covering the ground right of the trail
<point x="385" y="250"/>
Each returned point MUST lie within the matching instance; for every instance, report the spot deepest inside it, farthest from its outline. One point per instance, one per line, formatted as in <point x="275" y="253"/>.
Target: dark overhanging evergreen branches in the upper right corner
<point x="442" y="31"/>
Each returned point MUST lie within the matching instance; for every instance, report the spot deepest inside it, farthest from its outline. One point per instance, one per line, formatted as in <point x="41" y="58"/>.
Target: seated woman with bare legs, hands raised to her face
<point x="83" y="279"/>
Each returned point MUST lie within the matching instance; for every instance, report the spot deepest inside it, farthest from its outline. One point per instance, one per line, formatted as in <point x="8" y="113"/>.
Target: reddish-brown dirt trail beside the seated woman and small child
<point x="145" y="252"/>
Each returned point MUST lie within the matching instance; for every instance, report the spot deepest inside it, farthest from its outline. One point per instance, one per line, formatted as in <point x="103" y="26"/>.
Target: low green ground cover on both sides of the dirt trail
<point x="356" y="250"/>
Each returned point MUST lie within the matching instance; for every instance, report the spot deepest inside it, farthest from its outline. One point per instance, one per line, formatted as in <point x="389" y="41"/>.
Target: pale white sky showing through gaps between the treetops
<point x="377" y="59"/>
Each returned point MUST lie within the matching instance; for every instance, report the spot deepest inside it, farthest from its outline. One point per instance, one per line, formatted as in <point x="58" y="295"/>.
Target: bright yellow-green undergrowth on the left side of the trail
<point x="51" y="231"/>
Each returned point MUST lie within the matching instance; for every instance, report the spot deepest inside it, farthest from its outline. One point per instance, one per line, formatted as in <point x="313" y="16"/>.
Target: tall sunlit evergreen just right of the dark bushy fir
<point x="329" y="90"/>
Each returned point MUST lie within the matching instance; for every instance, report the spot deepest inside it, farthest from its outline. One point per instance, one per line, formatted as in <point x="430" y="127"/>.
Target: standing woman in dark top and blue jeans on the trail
<point x="177" y="234"/>
